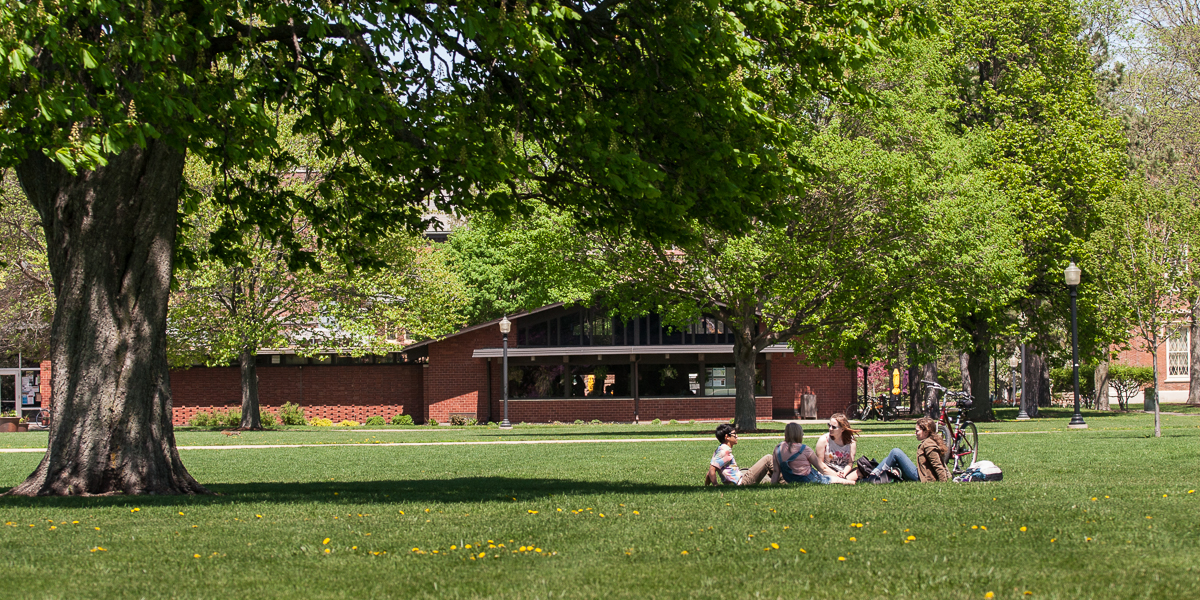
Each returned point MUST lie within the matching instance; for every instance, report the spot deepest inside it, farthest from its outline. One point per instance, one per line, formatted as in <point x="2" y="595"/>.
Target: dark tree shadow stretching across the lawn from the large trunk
<point x="436" y="491"/>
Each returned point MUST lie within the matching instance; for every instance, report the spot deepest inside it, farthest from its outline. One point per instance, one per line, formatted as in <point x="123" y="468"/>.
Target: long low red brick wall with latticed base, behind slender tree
<point x="334" y="392"/>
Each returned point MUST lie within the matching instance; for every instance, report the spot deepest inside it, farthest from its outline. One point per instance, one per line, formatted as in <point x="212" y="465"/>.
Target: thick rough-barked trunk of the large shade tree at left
<point x="110" y="239"/>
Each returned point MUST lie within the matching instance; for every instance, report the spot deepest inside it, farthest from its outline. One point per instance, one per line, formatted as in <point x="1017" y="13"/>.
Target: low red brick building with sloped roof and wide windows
<point x="565" y="364"/>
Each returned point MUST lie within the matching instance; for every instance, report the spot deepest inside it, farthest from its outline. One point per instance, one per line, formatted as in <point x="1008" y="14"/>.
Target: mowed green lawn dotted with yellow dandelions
<point x="1139" y="538"/>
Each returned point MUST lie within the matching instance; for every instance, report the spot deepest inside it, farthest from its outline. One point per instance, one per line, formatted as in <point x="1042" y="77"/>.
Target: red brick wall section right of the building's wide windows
<point x="835" y="386"/>
